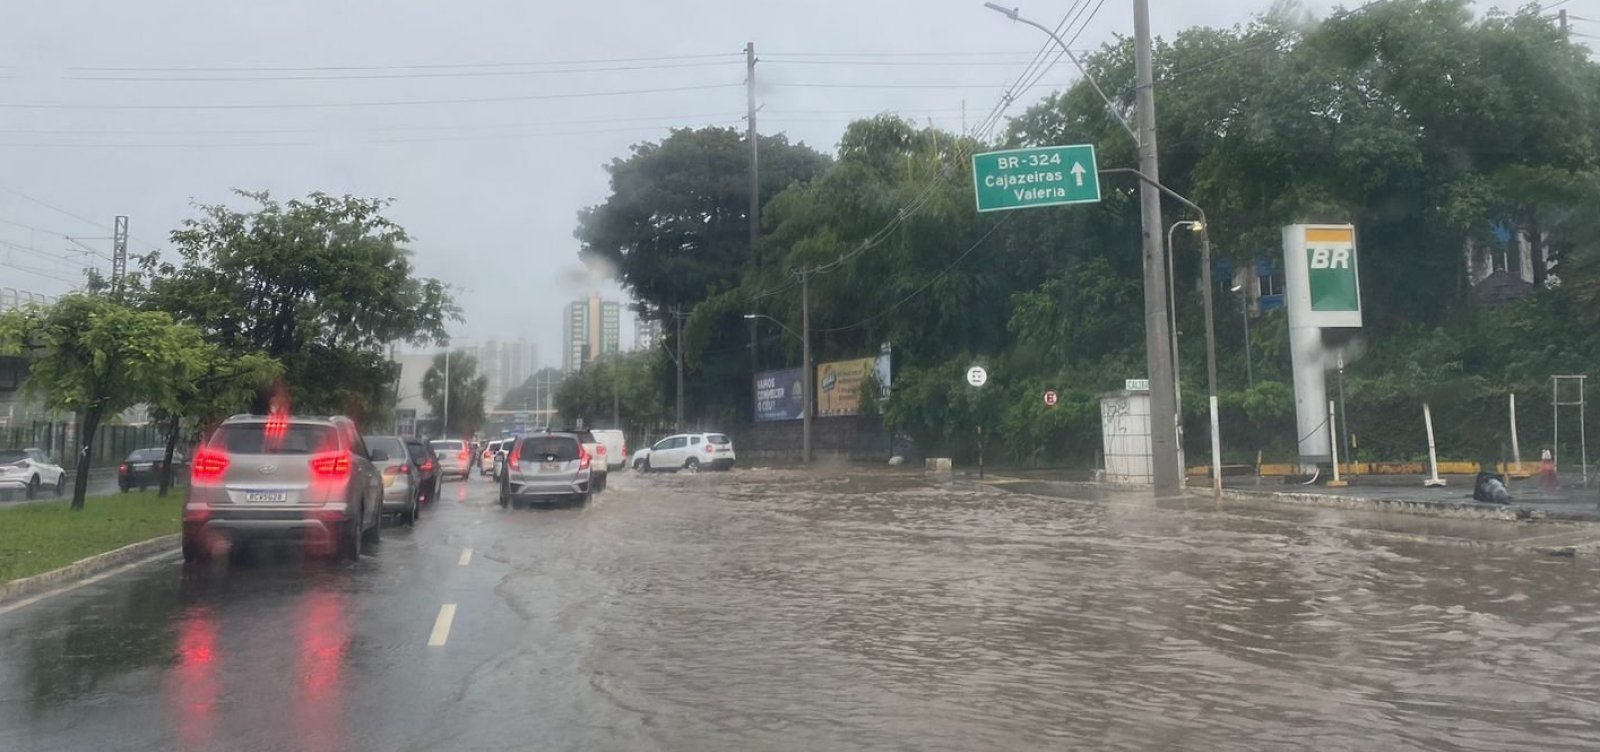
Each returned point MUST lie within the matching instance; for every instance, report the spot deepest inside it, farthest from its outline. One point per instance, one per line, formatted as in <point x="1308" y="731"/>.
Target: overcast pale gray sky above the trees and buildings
<point x="510" y="111"/>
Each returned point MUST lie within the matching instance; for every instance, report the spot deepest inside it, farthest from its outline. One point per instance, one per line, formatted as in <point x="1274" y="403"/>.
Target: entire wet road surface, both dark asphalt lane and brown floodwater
<point x="775" y="610"/>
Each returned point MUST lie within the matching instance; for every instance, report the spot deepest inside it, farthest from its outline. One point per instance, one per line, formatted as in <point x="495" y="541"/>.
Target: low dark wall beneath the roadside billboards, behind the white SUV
<point x="854" y="439"/>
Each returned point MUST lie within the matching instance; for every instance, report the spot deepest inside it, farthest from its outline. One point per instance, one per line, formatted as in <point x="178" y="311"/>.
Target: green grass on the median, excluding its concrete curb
<point x="38" y="538"/>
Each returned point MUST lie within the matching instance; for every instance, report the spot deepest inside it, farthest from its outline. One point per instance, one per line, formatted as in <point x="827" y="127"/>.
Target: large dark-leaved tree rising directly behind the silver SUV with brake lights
<point x="321" y="284"/>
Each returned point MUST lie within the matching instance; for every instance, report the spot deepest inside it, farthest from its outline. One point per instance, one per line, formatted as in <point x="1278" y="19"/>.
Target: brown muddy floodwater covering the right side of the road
<point x="766" y="610"/>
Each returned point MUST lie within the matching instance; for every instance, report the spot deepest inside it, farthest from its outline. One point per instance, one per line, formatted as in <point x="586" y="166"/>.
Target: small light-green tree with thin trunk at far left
<point x="97" y="359"/>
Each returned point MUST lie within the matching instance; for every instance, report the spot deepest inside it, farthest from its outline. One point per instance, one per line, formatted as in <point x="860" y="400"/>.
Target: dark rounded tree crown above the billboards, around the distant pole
<point x="676" y="225"/>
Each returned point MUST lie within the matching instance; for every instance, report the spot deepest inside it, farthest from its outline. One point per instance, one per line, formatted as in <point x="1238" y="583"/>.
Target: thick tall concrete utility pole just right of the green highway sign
<point x="1158" y="338"/>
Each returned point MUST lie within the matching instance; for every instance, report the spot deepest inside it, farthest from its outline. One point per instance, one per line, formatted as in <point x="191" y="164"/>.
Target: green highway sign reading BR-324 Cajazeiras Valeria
<point x="1026" y="178"/>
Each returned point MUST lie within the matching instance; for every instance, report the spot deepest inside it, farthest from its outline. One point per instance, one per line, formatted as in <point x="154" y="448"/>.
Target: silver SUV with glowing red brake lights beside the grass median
<point x="310" y="479"/>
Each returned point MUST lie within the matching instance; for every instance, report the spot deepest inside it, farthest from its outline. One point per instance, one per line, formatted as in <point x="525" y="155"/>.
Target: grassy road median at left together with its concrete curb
<point x="46" y="546"/>
